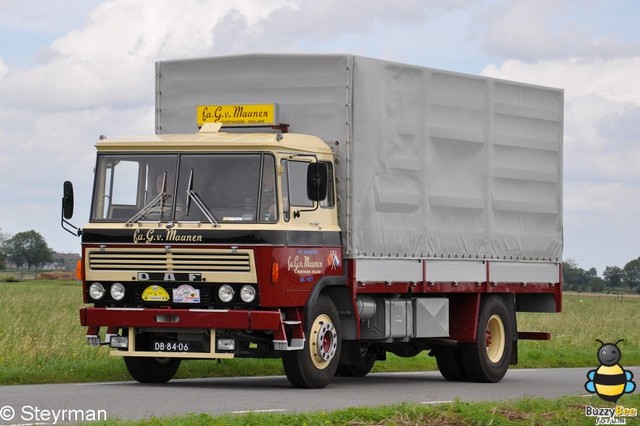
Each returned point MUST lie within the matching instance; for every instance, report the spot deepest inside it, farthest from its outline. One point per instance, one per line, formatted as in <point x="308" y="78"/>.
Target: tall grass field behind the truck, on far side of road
<point x="41" y="340"/>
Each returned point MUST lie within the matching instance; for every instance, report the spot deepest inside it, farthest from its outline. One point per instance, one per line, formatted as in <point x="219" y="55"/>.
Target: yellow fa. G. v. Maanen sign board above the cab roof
<point x="237" y="115"/>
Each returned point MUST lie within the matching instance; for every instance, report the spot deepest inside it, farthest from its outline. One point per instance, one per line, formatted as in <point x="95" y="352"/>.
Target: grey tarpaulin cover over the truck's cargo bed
<point x="432" y="163"/>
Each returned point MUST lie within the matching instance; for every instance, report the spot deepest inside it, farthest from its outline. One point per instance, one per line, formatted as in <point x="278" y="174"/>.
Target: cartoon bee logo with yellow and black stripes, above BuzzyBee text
<point x="609" y="381"/>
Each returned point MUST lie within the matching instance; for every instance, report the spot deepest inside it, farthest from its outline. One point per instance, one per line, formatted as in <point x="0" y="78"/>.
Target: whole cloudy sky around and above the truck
<point x="72" y="70"/>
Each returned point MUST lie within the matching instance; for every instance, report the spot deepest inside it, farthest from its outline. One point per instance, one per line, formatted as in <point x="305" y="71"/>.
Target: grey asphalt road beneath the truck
<point x="131" y="400"/>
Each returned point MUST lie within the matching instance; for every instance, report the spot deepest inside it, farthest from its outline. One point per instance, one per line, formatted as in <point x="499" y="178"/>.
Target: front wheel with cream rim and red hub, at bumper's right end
<point x="314" y="366"/>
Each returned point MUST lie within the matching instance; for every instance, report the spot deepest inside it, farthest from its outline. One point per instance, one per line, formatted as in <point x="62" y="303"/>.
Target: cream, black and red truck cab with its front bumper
<point x="206" y="245"/>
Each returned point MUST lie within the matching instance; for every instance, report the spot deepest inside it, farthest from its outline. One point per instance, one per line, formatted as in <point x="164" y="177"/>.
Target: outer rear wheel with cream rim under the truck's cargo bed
<point x="487" y="360"/>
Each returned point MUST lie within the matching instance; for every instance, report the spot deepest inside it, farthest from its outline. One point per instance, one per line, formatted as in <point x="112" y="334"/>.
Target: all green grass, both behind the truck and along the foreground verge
<point x="41" y="341"/>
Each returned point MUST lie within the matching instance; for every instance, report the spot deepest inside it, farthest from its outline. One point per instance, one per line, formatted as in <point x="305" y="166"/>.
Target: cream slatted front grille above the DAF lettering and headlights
<point x="173" y="260"/>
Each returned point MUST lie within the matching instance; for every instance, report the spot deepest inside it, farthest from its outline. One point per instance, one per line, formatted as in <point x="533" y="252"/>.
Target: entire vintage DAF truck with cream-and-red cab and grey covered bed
<point x="326" y="210"/>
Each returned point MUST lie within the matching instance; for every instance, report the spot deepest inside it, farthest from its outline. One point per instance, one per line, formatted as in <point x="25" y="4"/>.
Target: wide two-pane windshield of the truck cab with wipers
<point x="208" y="188"/>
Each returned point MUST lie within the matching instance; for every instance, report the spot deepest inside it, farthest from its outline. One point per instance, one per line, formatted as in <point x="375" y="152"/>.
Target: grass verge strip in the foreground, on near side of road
<point x="526" y="411"/>
